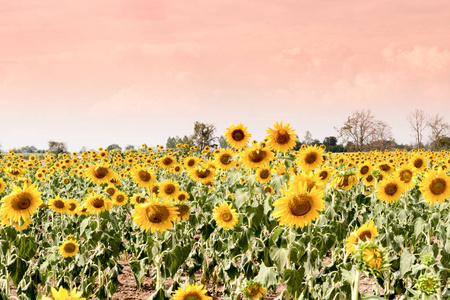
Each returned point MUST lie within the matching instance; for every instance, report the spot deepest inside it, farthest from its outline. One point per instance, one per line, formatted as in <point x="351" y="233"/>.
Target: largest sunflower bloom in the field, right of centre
<point x="299" y="209"/>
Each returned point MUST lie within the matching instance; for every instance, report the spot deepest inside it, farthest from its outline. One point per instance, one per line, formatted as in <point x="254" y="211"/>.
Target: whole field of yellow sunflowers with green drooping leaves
<point x="257" y="220"/>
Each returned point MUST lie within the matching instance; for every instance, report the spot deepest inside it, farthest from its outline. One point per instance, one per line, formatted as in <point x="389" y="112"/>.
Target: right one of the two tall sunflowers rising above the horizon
<point x="281" y="138"/>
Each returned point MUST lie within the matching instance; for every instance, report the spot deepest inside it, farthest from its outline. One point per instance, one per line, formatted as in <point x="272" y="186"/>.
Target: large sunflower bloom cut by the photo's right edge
<point x="435" y="186"/>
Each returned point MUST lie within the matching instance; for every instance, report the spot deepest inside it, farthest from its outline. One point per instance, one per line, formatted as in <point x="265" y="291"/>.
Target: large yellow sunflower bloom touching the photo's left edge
<point x="21" y="203"/>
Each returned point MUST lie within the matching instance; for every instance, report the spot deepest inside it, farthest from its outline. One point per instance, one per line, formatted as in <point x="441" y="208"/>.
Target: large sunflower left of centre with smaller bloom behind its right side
<point x="156" y="216"/>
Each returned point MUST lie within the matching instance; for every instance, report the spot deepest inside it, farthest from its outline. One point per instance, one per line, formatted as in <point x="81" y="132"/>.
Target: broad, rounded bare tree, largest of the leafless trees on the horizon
<point x="358" y="129"/>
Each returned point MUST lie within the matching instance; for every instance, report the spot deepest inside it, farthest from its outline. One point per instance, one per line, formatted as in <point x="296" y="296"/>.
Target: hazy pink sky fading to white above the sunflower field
<point x="130" y="72"/>
